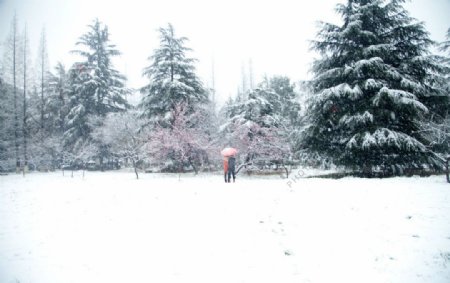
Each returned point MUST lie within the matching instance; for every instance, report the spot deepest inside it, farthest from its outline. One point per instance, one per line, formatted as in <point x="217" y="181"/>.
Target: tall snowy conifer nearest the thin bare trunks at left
<point x="95" y="87"/>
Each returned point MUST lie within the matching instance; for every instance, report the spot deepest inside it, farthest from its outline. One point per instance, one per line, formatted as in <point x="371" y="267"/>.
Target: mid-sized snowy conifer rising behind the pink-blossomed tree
<point x="172" y="79"/>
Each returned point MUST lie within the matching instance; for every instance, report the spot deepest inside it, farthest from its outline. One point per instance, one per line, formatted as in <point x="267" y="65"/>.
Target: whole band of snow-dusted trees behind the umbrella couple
<point x="378" y="102"/>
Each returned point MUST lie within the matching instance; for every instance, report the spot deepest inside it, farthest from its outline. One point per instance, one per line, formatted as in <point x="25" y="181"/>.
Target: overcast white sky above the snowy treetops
<point x="274" y="34"/>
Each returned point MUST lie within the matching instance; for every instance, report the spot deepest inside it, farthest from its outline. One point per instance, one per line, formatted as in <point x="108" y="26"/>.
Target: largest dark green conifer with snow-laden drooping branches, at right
<point x="371" y="88"/>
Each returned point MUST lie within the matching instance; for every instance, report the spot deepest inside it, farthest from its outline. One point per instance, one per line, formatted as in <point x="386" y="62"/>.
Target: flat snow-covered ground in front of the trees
<point x="110" y="227"/>
